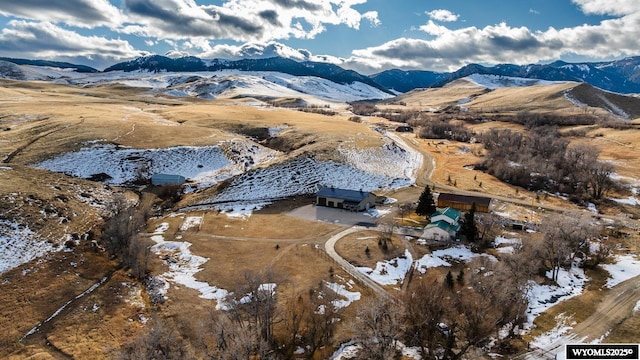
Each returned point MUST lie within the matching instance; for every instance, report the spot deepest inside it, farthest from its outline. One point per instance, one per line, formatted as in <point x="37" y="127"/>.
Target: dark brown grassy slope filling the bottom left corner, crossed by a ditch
<point x="32" y="292"/>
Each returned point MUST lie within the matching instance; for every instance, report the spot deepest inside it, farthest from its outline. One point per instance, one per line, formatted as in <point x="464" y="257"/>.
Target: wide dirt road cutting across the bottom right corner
<point x="616" y="306"/>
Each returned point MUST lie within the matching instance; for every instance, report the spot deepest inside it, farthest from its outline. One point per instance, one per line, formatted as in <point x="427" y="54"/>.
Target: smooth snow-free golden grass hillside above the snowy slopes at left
<point x="64" y="117"/>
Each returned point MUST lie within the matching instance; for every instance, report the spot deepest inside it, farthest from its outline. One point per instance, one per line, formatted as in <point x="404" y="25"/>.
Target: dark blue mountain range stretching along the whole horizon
<point x="620" y="76"/>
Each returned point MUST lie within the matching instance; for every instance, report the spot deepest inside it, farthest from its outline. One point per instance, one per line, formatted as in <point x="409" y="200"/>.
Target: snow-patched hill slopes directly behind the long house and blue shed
<point x="253" y="183"/>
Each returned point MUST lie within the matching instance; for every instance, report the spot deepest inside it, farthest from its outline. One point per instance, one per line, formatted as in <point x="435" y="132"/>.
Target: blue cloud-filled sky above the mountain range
<point x="368" y="36"/>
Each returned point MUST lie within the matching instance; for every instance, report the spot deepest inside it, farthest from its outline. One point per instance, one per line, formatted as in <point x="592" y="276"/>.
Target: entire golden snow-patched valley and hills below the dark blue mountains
<point x="239" y="259"/>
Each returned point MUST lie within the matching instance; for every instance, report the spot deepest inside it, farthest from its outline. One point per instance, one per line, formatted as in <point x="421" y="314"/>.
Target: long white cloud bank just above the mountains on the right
<point x="450" y="49"/>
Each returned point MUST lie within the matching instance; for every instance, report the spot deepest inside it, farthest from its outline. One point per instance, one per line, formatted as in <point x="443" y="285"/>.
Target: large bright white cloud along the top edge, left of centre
<point x="241" y="20"/>
